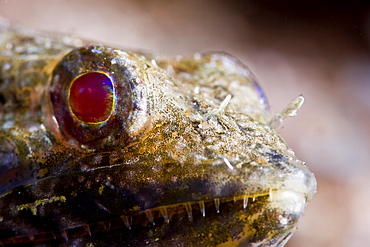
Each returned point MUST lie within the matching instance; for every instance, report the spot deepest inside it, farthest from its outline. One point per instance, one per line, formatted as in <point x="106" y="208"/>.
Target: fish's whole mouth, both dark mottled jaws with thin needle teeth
<point x="137" y="205"/>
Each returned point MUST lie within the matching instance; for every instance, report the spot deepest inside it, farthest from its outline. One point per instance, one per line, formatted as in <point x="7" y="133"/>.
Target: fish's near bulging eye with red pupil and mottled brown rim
<point x="98" y="97"/>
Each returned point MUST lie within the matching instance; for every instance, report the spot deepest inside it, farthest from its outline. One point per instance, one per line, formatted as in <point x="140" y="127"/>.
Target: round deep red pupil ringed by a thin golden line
<point x="91" y="97"/>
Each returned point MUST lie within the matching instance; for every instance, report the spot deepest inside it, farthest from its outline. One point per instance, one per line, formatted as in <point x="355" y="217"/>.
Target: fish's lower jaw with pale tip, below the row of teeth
<point x="252" y="220"/>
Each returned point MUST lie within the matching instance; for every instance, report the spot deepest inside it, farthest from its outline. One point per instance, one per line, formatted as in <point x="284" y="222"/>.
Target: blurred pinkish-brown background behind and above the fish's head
<point x="320" y="49"/>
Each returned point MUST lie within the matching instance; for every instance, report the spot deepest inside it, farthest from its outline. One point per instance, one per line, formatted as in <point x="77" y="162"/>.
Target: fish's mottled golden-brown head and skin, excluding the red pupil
<point x="176" y="164"/>
